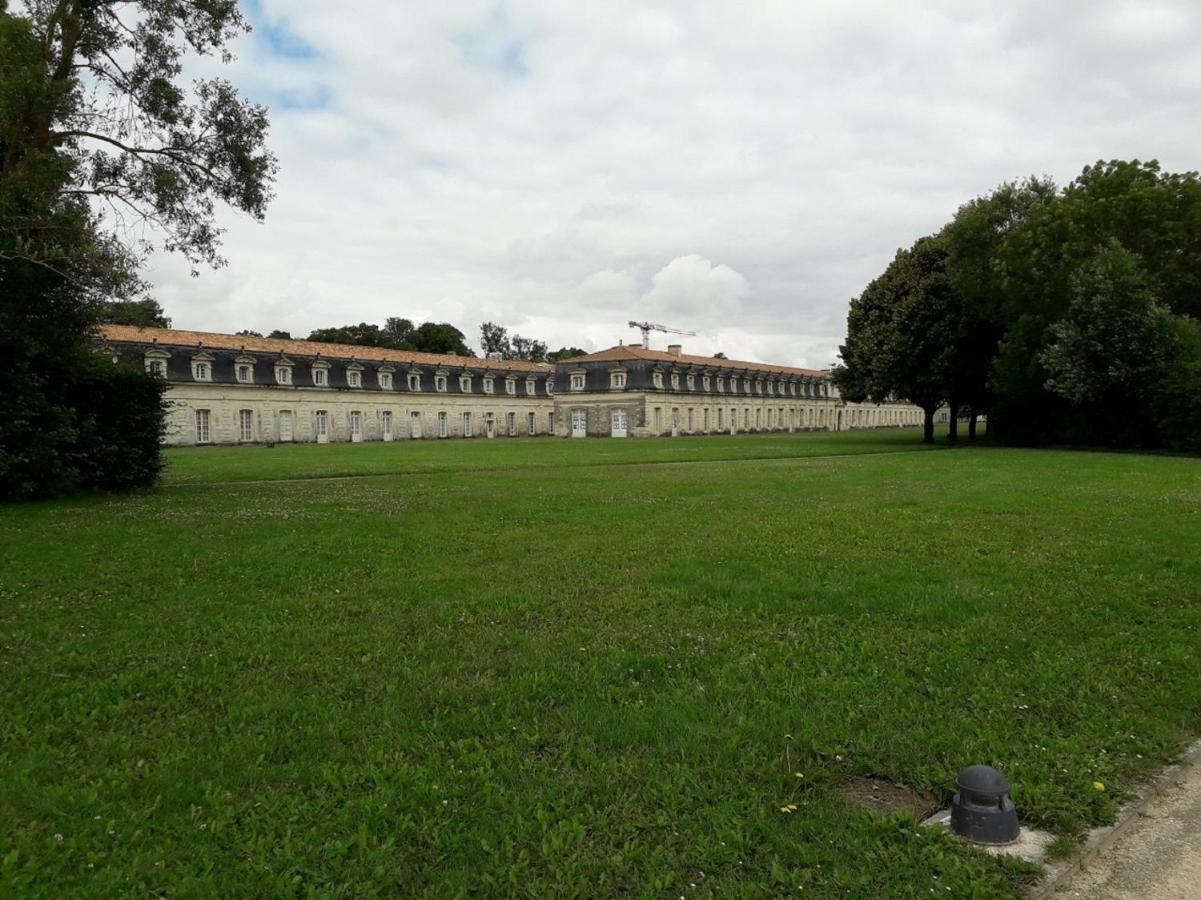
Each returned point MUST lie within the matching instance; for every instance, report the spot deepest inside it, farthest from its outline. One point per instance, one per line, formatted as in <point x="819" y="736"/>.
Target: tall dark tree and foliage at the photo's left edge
<point x="107" y="152"/>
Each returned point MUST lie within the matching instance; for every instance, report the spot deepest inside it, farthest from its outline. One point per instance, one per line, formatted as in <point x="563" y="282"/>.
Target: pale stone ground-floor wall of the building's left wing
<point x="266" y="404"/>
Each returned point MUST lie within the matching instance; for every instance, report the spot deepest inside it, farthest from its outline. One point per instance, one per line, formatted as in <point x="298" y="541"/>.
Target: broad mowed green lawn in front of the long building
<point x="524" y="678"/>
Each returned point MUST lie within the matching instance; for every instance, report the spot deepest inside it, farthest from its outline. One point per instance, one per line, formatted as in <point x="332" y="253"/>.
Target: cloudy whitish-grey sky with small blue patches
<point x="739" y="170"/>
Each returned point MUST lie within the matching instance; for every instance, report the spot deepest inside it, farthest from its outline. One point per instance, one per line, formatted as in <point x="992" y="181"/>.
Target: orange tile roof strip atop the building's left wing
<point x="174" y="337"/>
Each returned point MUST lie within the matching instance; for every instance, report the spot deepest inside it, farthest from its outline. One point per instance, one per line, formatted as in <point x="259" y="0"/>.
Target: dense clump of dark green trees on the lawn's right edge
<point x="1061" y="315"/>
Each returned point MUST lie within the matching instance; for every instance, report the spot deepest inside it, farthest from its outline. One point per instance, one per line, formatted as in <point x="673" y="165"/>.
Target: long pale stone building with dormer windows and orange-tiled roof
<point x="228" y="389"/>
